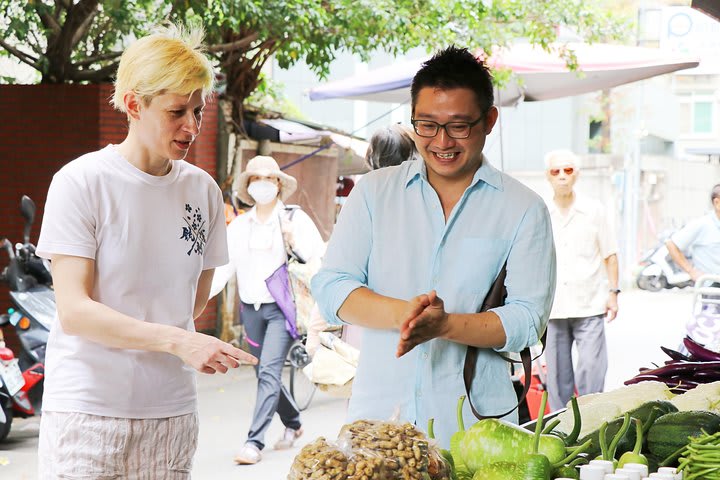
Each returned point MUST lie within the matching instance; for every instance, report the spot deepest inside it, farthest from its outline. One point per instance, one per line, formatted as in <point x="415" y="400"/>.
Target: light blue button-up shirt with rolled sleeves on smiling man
<point x="392" y="237"/>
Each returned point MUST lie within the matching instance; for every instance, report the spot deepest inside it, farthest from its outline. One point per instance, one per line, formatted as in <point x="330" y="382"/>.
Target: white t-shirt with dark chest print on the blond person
<point x="150" y="237"/>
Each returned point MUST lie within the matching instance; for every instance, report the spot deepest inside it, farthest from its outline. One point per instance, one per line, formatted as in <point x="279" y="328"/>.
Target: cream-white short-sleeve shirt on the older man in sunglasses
<point x="584" y="238"/>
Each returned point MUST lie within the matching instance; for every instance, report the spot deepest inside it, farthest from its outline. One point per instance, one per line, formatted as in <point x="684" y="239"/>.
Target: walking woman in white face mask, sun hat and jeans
<point x="255" y="243"/>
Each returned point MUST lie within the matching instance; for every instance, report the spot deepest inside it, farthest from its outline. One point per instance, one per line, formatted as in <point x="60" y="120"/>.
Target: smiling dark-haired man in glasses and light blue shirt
<point x="417" y="247"/>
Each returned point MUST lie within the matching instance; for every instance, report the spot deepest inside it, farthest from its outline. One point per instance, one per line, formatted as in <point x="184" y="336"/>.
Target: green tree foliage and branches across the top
<point x="81" y="40"/>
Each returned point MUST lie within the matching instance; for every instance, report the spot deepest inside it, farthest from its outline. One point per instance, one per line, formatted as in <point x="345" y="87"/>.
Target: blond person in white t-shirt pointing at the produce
<point x="134" y="234"/>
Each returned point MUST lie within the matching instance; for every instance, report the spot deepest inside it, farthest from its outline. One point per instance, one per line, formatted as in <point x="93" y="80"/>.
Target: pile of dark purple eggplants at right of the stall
<point x="683" y="372"/>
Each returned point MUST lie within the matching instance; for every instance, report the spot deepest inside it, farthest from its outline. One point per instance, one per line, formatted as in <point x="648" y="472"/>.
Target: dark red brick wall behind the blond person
<point x="46" y="126"/>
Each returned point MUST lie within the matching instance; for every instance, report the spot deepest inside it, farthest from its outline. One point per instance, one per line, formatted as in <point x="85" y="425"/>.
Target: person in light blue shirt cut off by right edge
<point x="703" y="236"/>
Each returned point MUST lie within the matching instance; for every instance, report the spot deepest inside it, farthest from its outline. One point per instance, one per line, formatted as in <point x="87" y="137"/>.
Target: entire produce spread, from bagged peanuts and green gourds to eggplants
<point x="668" y="416"/>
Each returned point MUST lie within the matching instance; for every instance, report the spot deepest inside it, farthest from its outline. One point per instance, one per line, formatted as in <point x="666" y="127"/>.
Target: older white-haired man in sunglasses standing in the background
<point x="587" y="284"/>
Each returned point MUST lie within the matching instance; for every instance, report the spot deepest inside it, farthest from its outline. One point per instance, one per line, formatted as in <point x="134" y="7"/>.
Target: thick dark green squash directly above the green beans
<point x="673" y="430"/>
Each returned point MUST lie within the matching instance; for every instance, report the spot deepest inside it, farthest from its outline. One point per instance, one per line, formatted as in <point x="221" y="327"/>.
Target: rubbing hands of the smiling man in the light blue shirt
<point x="424" y="319"/>
